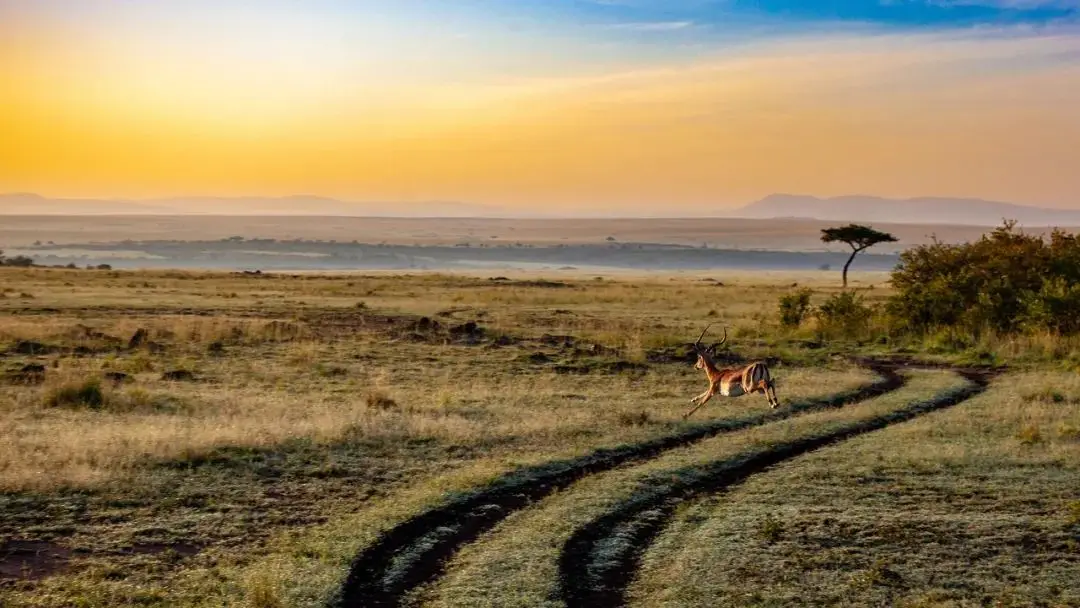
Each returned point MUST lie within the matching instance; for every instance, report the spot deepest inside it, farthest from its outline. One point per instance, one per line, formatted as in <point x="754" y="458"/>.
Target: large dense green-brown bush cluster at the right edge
<point x="1006" y="282"/>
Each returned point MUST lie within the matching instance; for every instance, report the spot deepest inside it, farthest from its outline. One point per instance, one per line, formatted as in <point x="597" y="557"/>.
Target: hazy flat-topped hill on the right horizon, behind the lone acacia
<point x="931" y="211"/>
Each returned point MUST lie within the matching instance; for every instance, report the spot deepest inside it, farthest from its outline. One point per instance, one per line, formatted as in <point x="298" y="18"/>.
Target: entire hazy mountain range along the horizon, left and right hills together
<point x="924" y="211"/>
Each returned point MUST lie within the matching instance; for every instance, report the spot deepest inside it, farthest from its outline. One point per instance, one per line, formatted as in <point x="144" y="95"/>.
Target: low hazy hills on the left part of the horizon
<point x="298" y="206"/>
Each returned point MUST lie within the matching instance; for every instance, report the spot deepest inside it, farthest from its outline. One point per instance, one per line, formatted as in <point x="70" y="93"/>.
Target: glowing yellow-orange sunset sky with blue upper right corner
<point x="615" y="105"/>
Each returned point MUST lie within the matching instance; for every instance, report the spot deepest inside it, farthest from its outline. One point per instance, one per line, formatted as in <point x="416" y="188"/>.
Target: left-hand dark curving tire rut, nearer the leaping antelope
<point x="416" y="552"/>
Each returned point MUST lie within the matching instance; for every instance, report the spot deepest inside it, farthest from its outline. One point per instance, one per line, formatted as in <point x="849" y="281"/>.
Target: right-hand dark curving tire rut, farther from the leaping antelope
<point x="598" y="564"/>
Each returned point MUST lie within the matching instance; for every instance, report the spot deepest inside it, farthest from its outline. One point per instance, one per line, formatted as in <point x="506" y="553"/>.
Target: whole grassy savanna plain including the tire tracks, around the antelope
<point x="190" y="439"/>
